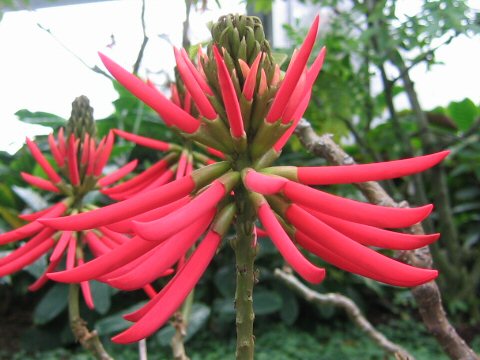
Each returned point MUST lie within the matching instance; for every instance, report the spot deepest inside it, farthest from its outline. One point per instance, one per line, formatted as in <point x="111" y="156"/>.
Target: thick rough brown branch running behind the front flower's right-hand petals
<point x="428" y="295"/>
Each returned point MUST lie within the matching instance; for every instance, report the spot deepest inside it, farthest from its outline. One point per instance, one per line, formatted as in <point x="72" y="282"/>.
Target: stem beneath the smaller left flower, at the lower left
<point x="89" y="340"/>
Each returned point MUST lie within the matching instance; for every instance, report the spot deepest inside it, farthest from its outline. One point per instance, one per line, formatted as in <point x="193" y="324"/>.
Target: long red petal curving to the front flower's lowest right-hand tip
<point x="386" y="269"/>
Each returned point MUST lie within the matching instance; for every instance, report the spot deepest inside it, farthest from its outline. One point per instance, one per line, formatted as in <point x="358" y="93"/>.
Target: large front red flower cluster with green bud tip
<point x="242" y="105"/>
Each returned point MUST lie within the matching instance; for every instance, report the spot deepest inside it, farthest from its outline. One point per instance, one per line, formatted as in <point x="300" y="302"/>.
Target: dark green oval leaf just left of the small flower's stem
<point x="51" y="305"/>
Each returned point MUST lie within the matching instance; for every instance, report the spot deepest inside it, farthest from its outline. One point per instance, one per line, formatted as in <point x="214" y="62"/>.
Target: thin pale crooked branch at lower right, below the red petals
<point x="350" y="308"/>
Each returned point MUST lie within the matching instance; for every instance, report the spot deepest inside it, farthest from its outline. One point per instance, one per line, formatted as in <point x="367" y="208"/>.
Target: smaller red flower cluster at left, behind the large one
<point x="80" y="161"/>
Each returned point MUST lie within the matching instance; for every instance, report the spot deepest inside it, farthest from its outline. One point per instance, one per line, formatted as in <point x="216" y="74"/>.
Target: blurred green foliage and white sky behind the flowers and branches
<point x="401" y="78"/>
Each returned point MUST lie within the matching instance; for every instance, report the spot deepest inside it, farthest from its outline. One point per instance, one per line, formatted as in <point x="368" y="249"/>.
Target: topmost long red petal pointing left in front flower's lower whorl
<point x="128" y="208"/>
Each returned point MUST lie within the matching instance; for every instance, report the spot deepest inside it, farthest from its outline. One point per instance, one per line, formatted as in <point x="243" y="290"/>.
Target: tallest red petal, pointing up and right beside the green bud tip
<point x="293" y="74"/>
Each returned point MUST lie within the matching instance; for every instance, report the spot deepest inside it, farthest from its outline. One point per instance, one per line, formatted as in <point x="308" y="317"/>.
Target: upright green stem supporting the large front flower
<point x="245" y="258"/>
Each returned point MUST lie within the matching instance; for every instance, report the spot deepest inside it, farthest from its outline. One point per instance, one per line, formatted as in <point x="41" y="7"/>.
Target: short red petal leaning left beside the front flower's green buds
<point x="203" y="104"/>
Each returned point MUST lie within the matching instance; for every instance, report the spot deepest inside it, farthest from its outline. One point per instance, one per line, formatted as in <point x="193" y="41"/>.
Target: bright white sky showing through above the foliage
<point x="39" y="75"/>
